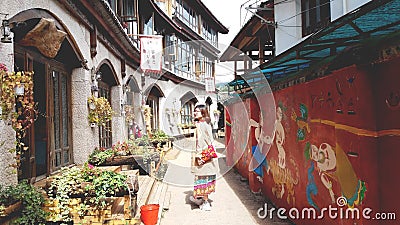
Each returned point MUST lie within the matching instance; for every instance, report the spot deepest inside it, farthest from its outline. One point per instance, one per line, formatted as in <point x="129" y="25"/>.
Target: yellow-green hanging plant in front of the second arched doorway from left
<point x="100" y="111"/>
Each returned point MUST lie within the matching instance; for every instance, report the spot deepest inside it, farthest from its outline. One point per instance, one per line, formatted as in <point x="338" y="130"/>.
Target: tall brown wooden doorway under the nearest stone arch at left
<point x="49" y="140"/>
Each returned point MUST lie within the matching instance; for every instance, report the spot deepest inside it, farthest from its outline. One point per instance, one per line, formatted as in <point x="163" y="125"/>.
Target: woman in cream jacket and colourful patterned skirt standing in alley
<point x="205" y="174"/>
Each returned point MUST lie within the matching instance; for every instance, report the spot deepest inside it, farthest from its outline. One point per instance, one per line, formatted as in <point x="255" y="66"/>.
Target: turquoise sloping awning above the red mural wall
<point x="370" y="24"/>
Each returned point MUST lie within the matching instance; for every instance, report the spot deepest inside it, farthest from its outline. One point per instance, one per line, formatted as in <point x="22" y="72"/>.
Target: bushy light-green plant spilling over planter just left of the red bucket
<point x="90" y="182"/>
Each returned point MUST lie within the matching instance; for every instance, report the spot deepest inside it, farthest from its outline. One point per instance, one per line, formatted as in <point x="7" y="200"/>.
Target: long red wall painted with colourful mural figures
<point x="350" y="120"/>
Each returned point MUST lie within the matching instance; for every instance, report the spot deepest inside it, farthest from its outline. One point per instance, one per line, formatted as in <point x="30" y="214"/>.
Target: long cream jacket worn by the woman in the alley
<point x="203" y="139"/>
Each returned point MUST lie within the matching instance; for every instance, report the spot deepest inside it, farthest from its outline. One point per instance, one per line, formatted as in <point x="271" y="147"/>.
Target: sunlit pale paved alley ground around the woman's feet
<point x="232" y="203"/>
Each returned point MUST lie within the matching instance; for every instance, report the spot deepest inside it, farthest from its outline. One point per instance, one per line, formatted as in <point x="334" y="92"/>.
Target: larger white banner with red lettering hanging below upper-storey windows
<point x="151" y="53"/>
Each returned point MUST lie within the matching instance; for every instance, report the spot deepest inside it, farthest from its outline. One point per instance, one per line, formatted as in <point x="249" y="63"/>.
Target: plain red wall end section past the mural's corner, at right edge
<point x="387" y="94"/>
